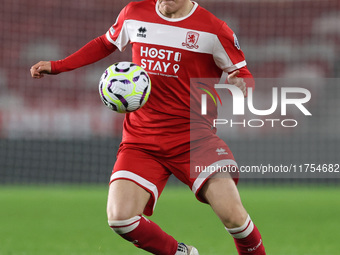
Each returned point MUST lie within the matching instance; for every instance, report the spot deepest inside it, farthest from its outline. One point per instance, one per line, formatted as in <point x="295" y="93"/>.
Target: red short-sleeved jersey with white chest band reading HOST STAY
<point x="172" y="51"/>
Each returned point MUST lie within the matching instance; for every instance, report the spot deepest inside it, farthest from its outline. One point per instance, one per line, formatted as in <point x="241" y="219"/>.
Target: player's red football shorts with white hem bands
<point x="193" y="167"/>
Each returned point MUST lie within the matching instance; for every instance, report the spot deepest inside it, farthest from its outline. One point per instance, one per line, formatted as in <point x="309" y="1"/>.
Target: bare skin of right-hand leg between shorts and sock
<point x="221" y="194"/>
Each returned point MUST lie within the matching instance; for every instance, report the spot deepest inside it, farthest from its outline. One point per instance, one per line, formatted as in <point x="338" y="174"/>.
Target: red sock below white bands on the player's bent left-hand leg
<point x="150" y="237"/>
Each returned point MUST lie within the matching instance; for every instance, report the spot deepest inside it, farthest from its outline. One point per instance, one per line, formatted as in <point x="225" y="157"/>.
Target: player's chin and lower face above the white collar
<point x="175" y="8"/>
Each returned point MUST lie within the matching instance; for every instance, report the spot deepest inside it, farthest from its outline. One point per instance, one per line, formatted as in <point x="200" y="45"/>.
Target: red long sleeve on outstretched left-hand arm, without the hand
<point x="93" y="51"/>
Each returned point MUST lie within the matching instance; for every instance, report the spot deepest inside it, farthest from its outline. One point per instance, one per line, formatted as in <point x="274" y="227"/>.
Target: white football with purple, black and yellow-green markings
<point x="124" y="87"/>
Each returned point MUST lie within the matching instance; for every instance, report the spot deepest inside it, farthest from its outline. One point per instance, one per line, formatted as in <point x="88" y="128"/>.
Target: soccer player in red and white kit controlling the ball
<point x="173" y="40"/>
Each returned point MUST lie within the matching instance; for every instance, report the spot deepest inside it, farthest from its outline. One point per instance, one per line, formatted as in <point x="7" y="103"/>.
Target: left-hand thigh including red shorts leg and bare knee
<point x="138" y="178"/>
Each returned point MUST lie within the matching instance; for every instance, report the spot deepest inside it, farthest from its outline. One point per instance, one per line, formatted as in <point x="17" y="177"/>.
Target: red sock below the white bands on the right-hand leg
<point x="252" y="244"/>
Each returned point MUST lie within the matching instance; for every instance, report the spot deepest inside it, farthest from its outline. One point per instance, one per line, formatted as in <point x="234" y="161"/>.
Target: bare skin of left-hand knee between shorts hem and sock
<point x="126" y="199"/>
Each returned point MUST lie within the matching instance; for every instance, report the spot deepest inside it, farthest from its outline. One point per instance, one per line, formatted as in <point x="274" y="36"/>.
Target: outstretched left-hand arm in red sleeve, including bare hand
<point x="93" y="51"/>
